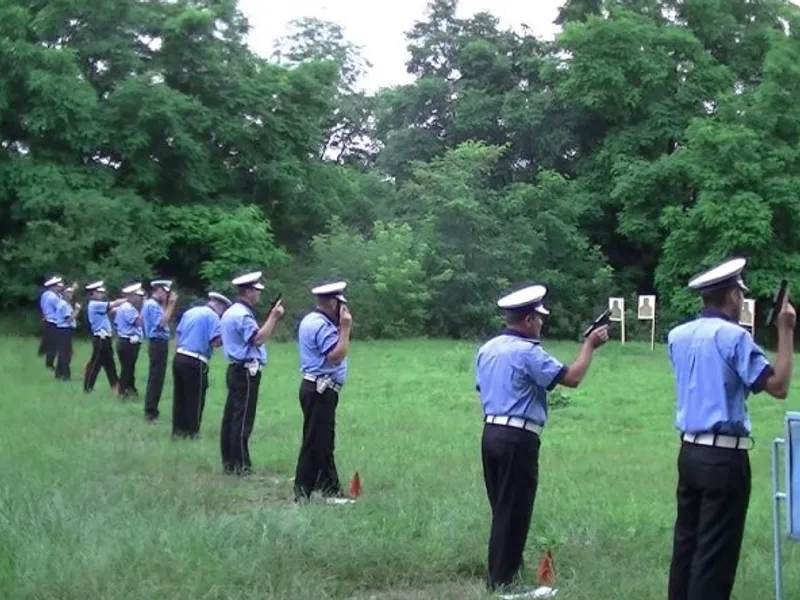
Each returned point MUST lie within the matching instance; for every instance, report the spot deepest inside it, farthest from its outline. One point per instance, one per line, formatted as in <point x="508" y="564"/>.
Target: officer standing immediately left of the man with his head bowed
<point x="157" y="312"/>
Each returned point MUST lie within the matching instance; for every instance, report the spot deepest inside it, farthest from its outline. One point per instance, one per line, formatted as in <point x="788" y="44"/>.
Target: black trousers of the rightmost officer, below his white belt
<point x="713" y="496"/>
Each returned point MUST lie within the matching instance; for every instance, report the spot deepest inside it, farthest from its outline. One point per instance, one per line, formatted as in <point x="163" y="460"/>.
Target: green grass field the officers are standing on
<point x="96" y="504"/>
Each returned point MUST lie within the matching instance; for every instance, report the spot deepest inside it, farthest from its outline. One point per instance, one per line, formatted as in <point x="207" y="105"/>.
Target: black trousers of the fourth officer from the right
<point x="238" y="418"/>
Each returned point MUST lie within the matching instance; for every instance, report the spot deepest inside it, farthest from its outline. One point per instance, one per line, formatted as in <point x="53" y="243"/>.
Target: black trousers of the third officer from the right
<point x="316" y="467"/>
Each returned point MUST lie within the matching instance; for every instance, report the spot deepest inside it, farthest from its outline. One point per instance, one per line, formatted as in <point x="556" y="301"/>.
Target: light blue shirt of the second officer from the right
<point x="513" y="374"/>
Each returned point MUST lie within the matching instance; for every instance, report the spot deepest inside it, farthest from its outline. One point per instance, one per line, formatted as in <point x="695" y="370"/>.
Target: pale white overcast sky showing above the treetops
<point x="379" y="26"/>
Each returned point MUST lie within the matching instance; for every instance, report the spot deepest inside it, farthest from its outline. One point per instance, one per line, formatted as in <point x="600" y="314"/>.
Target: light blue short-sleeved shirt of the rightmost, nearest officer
<point x="716" y="365"/>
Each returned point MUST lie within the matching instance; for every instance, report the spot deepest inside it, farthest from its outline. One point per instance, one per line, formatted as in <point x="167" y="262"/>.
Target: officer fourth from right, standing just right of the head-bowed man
<point x="243" y="344"/>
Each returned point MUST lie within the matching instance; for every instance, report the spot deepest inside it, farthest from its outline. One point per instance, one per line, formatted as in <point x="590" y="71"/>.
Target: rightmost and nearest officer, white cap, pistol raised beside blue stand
<point x="716" y="365"/>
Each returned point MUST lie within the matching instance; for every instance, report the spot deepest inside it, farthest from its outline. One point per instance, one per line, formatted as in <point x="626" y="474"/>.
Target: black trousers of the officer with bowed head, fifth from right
<point x="190" y="382"/>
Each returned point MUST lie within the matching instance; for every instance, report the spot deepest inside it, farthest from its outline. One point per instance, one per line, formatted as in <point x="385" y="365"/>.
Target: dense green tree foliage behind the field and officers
<point x="650" y="139"/>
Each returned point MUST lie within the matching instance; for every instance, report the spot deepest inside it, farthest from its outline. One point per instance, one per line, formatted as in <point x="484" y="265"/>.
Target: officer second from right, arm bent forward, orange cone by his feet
<point x="513" y="376"/>
